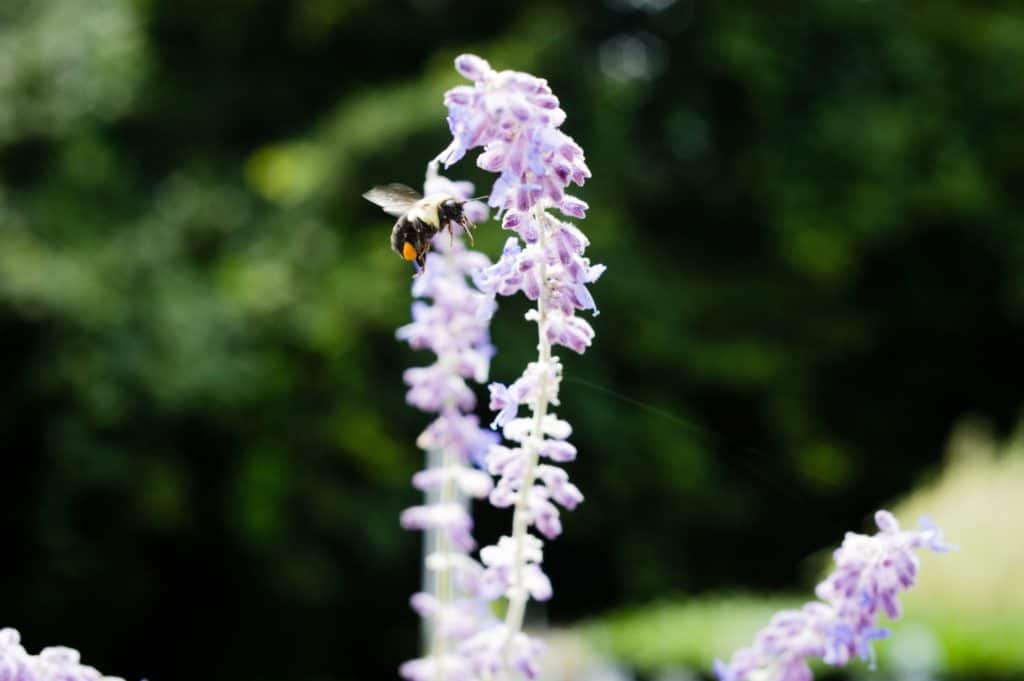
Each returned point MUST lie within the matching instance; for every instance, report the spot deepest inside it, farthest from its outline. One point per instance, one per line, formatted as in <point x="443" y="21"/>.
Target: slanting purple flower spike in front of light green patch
<point x="870" y="574"/>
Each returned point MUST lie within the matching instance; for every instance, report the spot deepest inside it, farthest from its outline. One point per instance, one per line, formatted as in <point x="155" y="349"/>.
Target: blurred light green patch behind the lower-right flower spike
<point x="965" y="616"/>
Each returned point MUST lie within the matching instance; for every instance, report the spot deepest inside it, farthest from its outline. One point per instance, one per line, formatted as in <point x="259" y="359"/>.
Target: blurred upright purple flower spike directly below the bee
<point x="455" y="327"/>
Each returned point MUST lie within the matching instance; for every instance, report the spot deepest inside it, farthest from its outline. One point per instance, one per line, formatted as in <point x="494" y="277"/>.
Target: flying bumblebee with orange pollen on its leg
<point x="419" y="220"/>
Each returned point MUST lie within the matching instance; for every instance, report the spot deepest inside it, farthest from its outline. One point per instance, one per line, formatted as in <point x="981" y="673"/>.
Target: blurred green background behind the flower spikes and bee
<point x="812" y="217"/>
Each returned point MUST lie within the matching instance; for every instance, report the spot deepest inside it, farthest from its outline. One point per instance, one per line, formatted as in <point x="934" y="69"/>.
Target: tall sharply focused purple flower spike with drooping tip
<point x="516" y="118"/>
